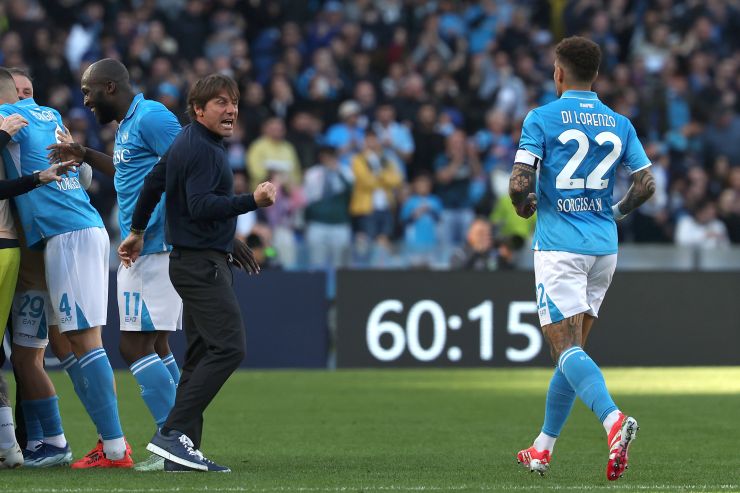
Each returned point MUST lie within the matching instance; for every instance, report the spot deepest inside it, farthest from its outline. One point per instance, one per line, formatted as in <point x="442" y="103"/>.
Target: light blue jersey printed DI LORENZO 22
<point x="579" y="142"/>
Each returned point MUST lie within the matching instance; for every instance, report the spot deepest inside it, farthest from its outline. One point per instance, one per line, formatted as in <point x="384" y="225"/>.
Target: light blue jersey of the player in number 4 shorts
<point x="54" y="208"/>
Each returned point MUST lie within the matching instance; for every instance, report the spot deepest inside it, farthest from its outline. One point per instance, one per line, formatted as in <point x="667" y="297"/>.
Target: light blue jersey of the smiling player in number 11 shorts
<point x="143" y="136"/>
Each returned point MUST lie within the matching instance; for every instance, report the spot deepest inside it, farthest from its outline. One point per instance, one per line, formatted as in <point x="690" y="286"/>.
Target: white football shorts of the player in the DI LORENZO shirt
<point x="570" y="283"/>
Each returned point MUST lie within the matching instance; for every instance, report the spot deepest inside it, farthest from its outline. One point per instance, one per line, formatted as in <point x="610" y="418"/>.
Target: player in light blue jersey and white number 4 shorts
<point x="60" y="218"/>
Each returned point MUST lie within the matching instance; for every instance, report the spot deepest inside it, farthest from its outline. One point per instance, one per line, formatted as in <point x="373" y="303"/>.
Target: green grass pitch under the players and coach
<point x="416" y="431"/>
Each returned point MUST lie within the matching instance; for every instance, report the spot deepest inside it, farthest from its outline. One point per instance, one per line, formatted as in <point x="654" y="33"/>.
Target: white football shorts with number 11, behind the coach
<point x="147" y="300"/>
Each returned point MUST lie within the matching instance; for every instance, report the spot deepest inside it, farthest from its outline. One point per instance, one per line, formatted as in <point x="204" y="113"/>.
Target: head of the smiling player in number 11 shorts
<point x="107" y="90"/>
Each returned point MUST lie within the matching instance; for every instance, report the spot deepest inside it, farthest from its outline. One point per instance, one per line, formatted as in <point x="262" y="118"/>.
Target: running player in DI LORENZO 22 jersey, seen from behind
<point x="564" y="169"/>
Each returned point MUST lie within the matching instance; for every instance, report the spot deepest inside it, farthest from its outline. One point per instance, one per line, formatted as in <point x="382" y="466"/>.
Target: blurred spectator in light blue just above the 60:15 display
<point x="420" y="216"/>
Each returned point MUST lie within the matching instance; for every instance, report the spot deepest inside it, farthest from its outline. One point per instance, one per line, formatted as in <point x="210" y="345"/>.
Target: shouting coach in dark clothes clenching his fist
<point x="201" y="211"/>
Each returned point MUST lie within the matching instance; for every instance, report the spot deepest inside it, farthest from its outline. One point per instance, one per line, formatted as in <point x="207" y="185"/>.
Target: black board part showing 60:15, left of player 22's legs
<point x="438" y="319"/>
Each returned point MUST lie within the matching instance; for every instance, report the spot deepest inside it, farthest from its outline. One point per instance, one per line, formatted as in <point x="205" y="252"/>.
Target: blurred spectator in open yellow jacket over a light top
<point x="377" y="177"/>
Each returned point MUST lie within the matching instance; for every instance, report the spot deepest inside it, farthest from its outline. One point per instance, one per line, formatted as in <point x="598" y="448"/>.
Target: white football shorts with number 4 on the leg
<point x="77" y="278"/>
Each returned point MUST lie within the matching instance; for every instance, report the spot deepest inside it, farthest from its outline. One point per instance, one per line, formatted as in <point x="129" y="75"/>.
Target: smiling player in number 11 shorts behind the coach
<point x="148" y="305"/>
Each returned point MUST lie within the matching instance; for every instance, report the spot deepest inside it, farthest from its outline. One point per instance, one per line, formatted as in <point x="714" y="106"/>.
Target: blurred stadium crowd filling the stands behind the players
<point x="389" y="126"/>
